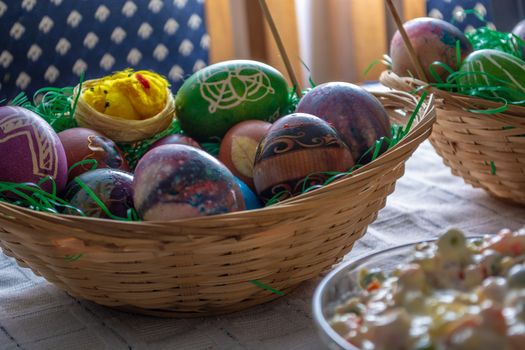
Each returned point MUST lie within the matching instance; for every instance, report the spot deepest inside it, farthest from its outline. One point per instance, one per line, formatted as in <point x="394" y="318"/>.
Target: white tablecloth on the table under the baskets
<point x="428" y="199"/>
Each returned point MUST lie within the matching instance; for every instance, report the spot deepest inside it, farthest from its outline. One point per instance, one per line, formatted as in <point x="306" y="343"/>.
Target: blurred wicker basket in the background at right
<point x="486" y="150"/>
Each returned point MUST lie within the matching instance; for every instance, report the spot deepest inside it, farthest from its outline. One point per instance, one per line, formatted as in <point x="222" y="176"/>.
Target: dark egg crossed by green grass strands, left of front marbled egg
<point x="113" y="188"/>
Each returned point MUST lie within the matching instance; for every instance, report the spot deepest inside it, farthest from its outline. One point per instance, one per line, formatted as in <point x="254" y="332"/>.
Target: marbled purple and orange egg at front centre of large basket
<point x="178" y="181"/>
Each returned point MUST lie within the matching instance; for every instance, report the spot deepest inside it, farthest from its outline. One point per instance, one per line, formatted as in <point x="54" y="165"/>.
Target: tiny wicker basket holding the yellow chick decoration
<point x="122" y="130"/>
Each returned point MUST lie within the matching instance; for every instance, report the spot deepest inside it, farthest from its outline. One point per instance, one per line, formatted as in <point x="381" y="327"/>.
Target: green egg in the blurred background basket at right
<point x="493" y="68"/>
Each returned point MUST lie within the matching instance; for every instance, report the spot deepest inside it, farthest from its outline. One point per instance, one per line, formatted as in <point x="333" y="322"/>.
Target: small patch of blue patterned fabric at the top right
<point x="450" y="11"/>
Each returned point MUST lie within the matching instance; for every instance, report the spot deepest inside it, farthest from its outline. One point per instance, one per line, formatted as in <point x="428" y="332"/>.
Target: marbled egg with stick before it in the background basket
<point x="433" y="40"/>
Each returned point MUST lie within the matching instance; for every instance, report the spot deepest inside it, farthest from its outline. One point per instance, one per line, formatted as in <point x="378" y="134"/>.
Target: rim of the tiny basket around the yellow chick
<point x="169" y="108"/>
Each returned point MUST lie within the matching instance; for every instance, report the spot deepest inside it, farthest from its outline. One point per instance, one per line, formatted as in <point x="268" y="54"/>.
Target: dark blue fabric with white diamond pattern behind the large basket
<point x="50" y="42"/>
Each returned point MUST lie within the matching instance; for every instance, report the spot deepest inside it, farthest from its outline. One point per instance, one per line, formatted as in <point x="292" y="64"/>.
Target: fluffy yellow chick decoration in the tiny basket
<point x="129" y="95"/>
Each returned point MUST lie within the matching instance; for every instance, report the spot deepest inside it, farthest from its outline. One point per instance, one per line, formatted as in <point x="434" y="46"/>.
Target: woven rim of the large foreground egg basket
<point x="425" y="117"/>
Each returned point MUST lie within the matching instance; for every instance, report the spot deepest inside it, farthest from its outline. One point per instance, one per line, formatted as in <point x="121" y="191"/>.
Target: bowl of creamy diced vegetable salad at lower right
<point x="453" y="293"/>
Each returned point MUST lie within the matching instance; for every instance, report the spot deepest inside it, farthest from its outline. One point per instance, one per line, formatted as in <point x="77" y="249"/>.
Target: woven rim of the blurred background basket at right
<point x="450" y="98"/>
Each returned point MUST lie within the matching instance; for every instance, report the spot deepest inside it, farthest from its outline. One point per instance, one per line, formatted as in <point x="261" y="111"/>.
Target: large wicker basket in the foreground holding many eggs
<point x="205" y="266"/>
